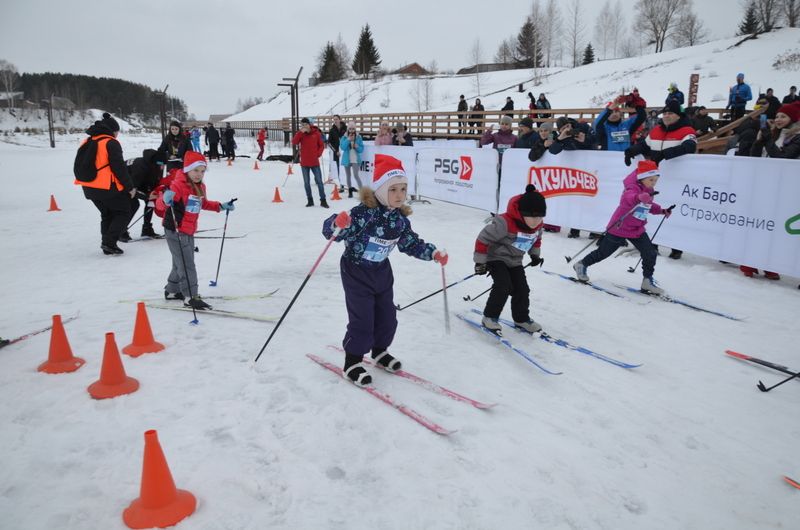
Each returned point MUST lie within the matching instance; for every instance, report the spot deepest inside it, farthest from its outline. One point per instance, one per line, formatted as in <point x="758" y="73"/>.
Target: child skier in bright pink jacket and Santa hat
<point x="628" y="222"/>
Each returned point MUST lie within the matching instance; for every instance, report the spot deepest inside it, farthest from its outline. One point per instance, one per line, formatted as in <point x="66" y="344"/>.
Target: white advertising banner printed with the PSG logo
<point x="462" y="176"/>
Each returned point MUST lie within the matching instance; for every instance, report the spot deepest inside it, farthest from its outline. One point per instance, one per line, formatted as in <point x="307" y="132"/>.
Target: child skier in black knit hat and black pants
<point x="499" y="250"/>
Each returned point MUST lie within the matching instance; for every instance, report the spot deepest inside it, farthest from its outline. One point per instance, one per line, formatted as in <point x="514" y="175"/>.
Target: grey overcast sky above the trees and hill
<point x="212" y="53"/>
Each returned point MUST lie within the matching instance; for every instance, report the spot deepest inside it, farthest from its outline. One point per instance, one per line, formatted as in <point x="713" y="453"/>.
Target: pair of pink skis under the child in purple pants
<point x="408" y="411"/>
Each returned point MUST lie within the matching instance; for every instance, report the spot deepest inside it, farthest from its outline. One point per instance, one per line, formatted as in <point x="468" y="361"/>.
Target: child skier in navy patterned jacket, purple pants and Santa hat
<point x="370" y="232"/>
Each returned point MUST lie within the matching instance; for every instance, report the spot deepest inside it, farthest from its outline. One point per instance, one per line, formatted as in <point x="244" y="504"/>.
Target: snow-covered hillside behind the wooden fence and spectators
<point x="592" y="85"/>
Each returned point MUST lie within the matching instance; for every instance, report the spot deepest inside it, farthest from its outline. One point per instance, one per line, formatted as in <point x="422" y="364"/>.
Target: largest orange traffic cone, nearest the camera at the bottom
<point x="160" y="503"/>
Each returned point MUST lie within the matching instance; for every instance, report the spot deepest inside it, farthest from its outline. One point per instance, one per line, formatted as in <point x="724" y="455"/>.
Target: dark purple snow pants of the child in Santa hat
<point x="370" y="306"/>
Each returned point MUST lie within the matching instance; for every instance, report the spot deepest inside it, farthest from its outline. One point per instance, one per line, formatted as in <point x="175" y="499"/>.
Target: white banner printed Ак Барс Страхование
<point x="738" y="209"/>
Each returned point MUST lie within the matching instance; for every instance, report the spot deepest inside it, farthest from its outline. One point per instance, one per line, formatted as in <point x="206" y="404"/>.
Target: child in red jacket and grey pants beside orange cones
<point x="185" y="198"/>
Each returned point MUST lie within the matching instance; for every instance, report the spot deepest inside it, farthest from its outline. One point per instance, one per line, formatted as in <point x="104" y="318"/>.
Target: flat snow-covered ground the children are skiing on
<point x="684" y="442"/>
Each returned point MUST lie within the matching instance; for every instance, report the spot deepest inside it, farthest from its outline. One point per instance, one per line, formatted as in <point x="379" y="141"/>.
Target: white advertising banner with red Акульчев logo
<point x="582" y="188"/>
